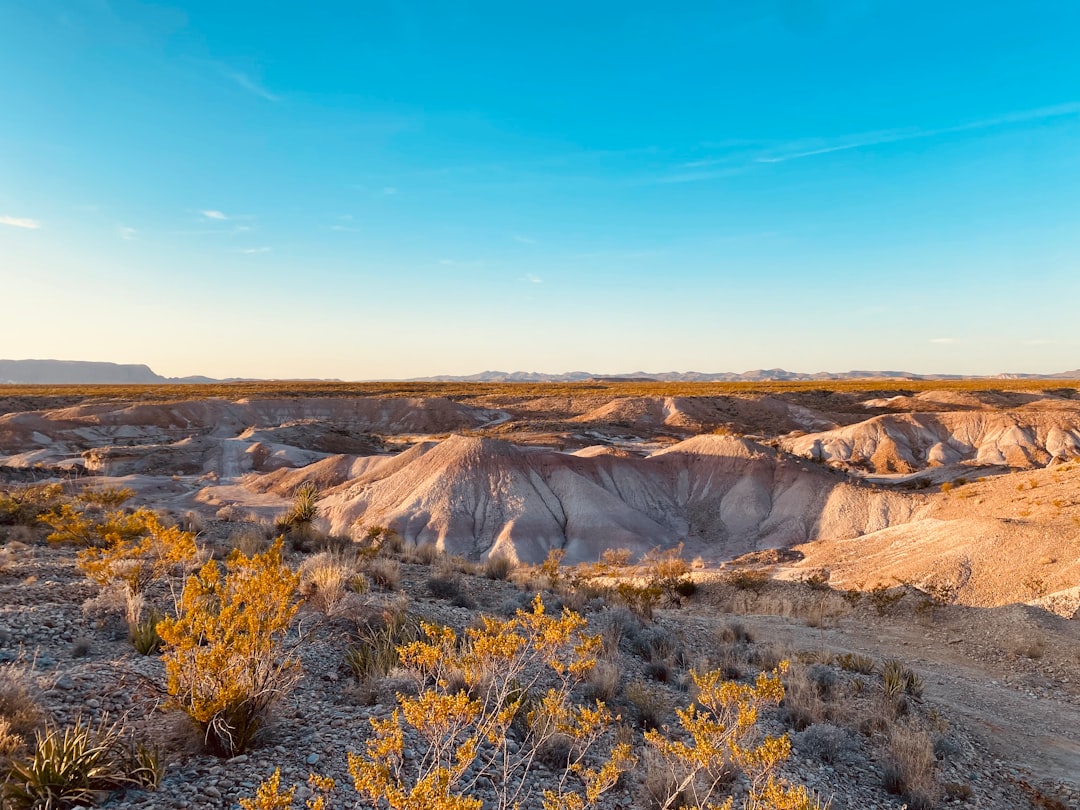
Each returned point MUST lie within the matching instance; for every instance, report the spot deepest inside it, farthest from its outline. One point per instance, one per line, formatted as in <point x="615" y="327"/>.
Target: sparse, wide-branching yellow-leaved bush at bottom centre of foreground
<point x="502" y="664"/>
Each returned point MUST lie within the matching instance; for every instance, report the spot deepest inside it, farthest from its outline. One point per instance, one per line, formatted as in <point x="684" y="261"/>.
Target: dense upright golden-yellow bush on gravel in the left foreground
<point x="224" y="652"/>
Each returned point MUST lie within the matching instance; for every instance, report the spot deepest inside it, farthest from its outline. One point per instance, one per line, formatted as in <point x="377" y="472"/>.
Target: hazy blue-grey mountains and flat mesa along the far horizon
<point x="71" y="372"/>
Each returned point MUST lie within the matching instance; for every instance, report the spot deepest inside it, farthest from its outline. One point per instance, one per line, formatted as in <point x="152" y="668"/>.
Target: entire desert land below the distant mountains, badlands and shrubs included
<point x="312" y="599"/>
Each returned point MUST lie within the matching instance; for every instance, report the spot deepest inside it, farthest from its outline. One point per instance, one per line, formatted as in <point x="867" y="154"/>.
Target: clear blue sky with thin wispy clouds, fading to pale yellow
<point x="394" y="190"/>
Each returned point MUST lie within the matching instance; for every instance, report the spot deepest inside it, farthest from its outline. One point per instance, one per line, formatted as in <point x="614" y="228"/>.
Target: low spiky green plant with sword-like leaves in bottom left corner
<point x="79" y="765"/>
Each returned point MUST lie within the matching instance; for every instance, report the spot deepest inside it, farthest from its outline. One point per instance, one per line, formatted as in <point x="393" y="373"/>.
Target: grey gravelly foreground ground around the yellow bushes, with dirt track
<point x="1001" y="703"/>
